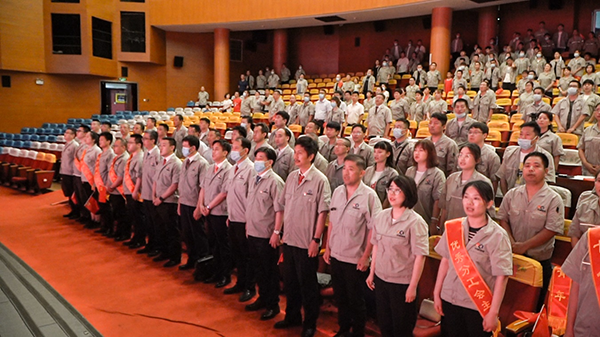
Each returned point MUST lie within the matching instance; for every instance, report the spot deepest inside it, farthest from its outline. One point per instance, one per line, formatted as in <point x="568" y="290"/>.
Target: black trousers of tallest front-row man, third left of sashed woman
<point x="301" y="286"/>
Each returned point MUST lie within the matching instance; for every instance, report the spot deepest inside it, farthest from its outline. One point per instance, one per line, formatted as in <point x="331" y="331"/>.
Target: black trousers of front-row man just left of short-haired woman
<point x="349" y="291"/>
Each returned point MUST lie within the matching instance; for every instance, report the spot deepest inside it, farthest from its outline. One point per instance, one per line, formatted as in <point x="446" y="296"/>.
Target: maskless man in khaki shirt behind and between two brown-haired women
<point x="445" y="147"/>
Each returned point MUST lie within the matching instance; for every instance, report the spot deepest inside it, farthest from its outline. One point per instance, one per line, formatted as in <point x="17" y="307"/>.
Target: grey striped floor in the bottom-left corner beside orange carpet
<point x="29" y="306"/>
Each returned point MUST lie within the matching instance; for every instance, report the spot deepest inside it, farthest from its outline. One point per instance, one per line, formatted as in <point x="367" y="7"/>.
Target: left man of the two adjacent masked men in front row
<point x="239" y="178"/>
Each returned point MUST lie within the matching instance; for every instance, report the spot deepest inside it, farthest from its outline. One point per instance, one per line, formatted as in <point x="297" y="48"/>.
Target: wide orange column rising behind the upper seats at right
<point x="441" y="25"/>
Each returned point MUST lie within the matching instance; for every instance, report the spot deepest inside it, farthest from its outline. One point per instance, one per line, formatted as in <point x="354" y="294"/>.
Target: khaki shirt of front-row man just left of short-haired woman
<point x="351" y="222"/>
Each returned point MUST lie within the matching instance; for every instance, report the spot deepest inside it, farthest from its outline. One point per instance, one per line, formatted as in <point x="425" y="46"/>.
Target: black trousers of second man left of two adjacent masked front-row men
<point x="193" y="234"/>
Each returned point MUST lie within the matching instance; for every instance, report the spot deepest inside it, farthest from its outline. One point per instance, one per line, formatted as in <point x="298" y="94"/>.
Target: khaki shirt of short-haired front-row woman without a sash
<point x="398" y="243"/>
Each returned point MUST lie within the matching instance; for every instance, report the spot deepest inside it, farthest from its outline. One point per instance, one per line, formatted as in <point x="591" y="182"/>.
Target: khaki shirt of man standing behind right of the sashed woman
<point x="528" y="217"/>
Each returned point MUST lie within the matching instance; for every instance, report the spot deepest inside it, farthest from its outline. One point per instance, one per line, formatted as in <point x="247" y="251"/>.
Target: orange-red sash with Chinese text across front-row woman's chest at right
<point x="467" y="272"/>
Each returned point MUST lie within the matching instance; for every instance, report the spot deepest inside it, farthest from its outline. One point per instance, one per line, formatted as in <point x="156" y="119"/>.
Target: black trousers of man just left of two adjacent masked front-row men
<point x="218" y="240"/>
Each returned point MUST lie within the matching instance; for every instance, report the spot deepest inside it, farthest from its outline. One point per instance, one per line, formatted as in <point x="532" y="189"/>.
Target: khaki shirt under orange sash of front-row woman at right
<point x="491" y="253"/>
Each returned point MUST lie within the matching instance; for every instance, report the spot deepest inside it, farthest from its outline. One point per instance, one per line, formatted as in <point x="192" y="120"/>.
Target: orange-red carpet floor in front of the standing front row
<point x="119" y="292"/>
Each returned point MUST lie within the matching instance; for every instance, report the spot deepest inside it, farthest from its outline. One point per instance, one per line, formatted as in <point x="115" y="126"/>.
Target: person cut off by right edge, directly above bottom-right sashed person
<point x="587" y="214"/>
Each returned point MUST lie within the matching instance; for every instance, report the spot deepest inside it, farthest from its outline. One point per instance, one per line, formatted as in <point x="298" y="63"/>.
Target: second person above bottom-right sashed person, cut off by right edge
<point x="588" y="146"/>
